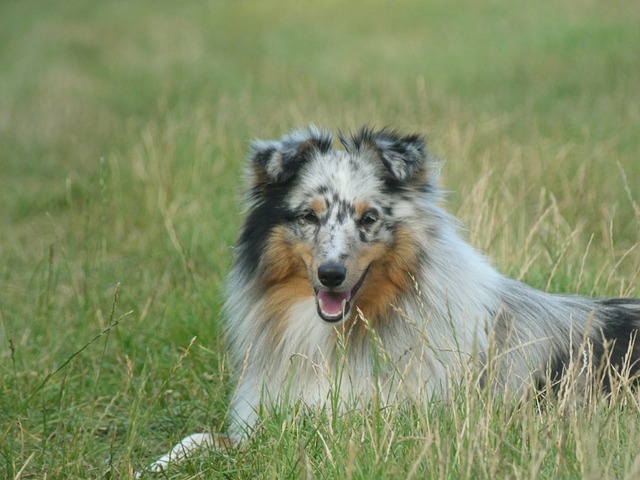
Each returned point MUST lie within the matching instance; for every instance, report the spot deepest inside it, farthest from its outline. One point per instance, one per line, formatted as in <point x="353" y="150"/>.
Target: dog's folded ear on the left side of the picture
<point x="277" y="161"/>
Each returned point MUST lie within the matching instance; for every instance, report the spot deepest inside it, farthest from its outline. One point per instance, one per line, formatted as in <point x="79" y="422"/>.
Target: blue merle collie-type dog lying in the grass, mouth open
<point x="350" y="277"/>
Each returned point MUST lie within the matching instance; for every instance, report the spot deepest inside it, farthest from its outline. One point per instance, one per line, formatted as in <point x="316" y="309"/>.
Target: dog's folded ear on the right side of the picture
<point x="404" y="157"/>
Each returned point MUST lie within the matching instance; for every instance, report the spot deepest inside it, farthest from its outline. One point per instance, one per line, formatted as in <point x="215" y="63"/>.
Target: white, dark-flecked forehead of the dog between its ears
<point x="338" y="174"/>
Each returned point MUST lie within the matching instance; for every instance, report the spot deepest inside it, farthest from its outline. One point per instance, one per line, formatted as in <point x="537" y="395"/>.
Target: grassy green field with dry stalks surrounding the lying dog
<point x="123" y="131"/>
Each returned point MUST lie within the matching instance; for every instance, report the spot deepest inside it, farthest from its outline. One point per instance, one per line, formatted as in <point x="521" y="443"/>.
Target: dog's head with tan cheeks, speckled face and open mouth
<point x="336" y="224"/>
